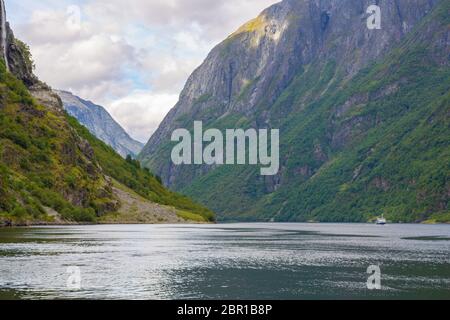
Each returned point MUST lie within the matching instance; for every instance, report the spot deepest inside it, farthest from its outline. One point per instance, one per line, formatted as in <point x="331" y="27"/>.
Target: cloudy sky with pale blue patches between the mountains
<point x="134" y="56"/>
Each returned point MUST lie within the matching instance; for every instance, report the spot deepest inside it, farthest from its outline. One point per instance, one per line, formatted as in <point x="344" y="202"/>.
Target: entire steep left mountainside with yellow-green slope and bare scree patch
<point x="52" y="170"/>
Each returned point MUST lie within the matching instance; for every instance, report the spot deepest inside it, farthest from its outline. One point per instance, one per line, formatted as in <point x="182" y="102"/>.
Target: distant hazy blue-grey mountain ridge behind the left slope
<point x="100" y="124"/>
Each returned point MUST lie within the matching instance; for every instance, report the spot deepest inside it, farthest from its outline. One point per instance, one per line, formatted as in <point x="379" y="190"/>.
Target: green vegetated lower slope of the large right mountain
<point x="396" y="162"/>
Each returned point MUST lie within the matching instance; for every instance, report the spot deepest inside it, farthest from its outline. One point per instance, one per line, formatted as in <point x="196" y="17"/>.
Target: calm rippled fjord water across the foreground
<point x="230" y="261"/>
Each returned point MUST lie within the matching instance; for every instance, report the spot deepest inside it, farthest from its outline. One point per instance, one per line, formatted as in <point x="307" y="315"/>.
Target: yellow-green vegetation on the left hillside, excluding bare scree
<point x="45" y="163"/>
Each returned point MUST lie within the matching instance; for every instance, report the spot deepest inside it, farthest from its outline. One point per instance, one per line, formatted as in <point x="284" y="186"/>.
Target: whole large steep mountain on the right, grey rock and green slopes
<point x="363" y="114"/>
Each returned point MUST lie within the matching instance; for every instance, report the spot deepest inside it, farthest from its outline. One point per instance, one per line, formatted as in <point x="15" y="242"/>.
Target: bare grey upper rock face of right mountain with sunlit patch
<point x="259" y="60"/>
